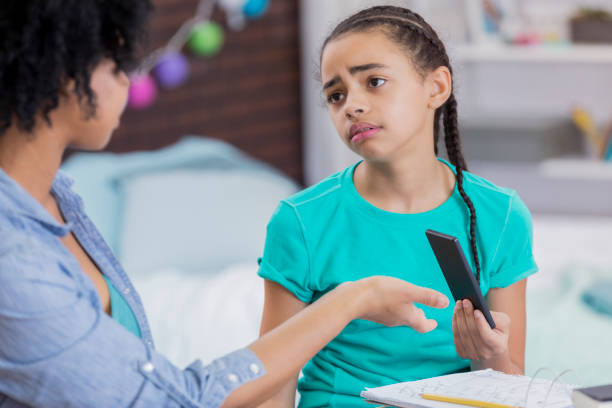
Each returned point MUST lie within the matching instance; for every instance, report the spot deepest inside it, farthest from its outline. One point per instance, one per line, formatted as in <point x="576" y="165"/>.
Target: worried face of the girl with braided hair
<point x="377" y="100"/>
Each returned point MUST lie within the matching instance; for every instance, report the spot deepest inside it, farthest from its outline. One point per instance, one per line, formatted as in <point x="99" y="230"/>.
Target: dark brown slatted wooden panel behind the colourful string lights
<point x="248" y="94"/>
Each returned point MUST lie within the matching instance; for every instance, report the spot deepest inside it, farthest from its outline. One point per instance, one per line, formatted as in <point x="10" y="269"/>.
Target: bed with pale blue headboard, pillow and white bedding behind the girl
<point x="188" y="223"/>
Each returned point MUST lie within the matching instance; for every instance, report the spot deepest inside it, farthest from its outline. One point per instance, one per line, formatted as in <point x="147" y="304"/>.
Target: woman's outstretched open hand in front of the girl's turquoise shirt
<point x="390" y="301"/>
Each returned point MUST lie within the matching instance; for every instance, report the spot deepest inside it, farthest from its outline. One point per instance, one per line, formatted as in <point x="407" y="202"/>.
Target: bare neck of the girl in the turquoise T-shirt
<point x="412" y="184"/>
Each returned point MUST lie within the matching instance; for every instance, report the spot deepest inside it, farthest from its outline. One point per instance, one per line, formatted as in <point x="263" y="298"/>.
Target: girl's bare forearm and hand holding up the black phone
<point x="502" y="348"/>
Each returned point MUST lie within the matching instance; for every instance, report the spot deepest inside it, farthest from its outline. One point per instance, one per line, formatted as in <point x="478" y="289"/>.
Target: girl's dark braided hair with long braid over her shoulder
<point x="412" y="33"/>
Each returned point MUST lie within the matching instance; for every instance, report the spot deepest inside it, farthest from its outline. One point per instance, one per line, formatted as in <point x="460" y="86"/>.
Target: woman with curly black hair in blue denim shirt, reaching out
<point x="73" y="332"/>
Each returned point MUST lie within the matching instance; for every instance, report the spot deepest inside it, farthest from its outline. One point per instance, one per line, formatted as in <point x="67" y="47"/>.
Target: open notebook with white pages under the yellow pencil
<point x="484" y="385"/>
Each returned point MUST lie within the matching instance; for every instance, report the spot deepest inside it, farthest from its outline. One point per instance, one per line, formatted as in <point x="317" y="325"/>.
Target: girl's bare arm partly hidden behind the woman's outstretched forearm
<point x="280" y="305"/>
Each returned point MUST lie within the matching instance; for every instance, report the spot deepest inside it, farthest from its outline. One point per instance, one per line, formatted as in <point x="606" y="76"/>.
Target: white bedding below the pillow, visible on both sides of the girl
<point x="208" y="315"/>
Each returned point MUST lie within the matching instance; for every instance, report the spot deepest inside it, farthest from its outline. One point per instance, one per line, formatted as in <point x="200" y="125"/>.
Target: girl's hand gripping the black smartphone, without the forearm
<point x="474" y="338"/>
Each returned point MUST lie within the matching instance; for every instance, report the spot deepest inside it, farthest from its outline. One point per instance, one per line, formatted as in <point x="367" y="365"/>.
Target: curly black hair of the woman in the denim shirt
<point x="46" y="43"/>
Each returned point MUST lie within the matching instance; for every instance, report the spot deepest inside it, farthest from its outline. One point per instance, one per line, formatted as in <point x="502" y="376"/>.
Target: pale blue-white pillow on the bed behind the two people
<point x="199" y="219"/>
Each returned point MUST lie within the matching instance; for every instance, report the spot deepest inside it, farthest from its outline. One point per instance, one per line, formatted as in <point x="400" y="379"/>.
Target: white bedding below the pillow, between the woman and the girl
<point x="202" y="316"/>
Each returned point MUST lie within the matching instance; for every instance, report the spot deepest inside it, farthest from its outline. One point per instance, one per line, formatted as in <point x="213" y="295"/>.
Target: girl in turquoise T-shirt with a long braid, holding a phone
<point x="388" y="83"/>
